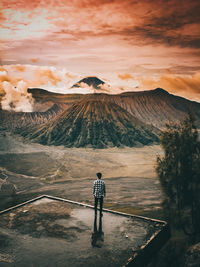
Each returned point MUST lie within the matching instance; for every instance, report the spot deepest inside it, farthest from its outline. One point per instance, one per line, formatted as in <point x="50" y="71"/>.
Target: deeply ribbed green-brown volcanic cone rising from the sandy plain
<point x="95" y="124"/>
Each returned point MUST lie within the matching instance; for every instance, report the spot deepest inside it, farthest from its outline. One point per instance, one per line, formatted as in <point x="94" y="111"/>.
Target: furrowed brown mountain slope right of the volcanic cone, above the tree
<point x="157" y="107"/>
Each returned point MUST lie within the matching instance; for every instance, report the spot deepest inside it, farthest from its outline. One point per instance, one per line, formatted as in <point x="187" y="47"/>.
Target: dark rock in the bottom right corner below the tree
<point x="193" y="256"/>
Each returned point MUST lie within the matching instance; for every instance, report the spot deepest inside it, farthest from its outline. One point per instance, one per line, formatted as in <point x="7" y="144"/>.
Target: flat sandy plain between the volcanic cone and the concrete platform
<point x="129" y="174"/>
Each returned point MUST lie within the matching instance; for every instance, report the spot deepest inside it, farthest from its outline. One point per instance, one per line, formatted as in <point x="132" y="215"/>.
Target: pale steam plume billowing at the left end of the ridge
<point x="16" y="97"/>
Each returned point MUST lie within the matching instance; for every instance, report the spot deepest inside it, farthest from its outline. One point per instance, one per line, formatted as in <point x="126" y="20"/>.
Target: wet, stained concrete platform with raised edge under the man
<point x="50" y="231"/>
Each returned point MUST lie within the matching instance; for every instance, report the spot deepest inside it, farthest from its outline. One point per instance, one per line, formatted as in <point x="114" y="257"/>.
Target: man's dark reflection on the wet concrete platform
<point x="97" y="238"/>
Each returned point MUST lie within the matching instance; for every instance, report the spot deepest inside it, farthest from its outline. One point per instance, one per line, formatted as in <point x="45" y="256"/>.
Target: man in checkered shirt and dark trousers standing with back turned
<point x="99" y="192"/>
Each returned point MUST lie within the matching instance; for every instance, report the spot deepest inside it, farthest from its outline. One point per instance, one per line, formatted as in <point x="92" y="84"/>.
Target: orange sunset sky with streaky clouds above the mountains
<point x="133" y="45"/>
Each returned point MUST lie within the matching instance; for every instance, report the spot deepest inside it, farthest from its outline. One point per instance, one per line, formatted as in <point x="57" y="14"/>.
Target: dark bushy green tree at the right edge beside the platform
<point x="179" y="174"/>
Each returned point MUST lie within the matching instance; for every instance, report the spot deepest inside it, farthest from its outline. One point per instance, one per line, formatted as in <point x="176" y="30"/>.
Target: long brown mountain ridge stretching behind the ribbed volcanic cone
<point x="156" y="107"/>
